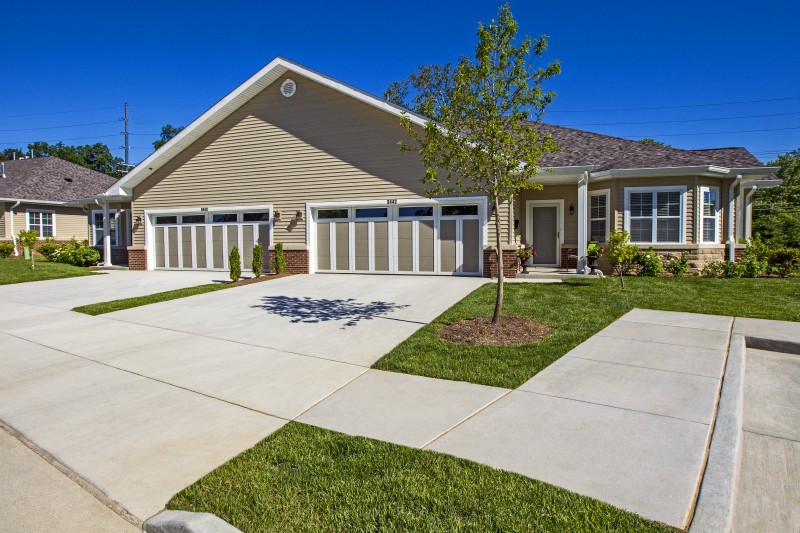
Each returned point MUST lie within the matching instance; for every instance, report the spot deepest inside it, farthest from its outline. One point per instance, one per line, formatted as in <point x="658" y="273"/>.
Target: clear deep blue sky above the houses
<point x="172" y="60"/>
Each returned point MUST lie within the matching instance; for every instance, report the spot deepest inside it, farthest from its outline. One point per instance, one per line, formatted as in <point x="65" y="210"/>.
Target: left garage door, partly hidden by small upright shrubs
<point x="199" y="240"/>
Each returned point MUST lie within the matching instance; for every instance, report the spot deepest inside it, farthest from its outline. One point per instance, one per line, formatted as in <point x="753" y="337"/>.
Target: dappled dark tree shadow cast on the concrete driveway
<point x="308" y="310"/>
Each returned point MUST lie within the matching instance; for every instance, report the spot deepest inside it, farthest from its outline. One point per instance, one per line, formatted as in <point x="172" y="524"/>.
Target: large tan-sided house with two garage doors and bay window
<point x="296" y="157"/>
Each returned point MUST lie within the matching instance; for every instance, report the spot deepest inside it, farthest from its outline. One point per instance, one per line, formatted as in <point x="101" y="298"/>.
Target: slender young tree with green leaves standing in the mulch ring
<point x="480" y="138"/>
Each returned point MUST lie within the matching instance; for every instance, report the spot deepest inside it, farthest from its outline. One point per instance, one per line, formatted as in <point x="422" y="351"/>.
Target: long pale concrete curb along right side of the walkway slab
<point x="714" y="510"/>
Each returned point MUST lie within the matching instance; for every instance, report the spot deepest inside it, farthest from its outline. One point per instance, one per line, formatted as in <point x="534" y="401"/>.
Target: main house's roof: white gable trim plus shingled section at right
<point x="580" y="148"/>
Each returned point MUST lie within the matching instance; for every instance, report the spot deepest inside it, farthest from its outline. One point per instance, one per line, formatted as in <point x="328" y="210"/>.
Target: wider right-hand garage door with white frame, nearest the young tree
<point x="399" y="239"/>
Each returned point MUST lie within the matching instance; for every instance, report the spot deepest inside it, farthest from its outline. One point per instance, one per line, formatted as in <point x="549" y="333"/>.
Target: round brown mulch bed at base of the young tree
<point x="511" y="330"/>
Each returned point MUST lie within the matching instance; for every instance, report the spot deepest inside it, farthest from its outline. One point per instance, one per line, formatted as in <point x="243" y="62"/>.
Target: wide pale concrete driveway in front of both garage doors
<point x="143" y="402"/>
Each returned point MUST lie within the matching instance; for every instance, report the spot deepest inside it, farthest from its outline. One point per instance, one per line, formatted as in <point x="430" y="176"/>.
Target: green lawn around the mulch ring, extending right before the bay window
<point x="576" y="309"/>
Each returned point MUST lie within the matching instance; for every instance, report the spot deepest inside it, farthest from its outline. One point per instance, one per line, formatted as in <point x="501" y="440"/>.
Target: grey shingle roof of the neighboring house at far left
<point x="50" y="179"/>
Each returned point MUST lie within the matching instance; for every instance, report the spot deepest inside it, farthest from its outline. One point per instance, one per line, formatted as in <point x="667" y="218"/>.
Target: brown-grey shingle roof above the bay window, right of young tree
<point x="606" y="152"/>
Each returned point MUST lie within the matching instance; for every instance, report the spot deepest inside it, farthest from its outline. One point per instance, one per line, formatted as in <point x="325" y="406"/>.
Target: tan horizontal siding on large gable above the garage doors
<point x="319" y="145"/>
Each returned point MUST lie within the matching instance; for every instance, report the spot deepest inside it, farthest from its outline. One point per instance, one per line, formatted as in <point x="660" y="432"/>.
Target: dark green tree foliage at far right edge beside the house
<point x="776" y="211"/>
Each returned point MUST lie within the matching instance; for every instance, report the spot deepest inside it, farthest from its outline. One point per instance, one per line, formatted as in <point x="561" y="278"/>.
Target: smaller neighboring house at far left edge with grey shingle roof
<point x="36" y="194"/>
